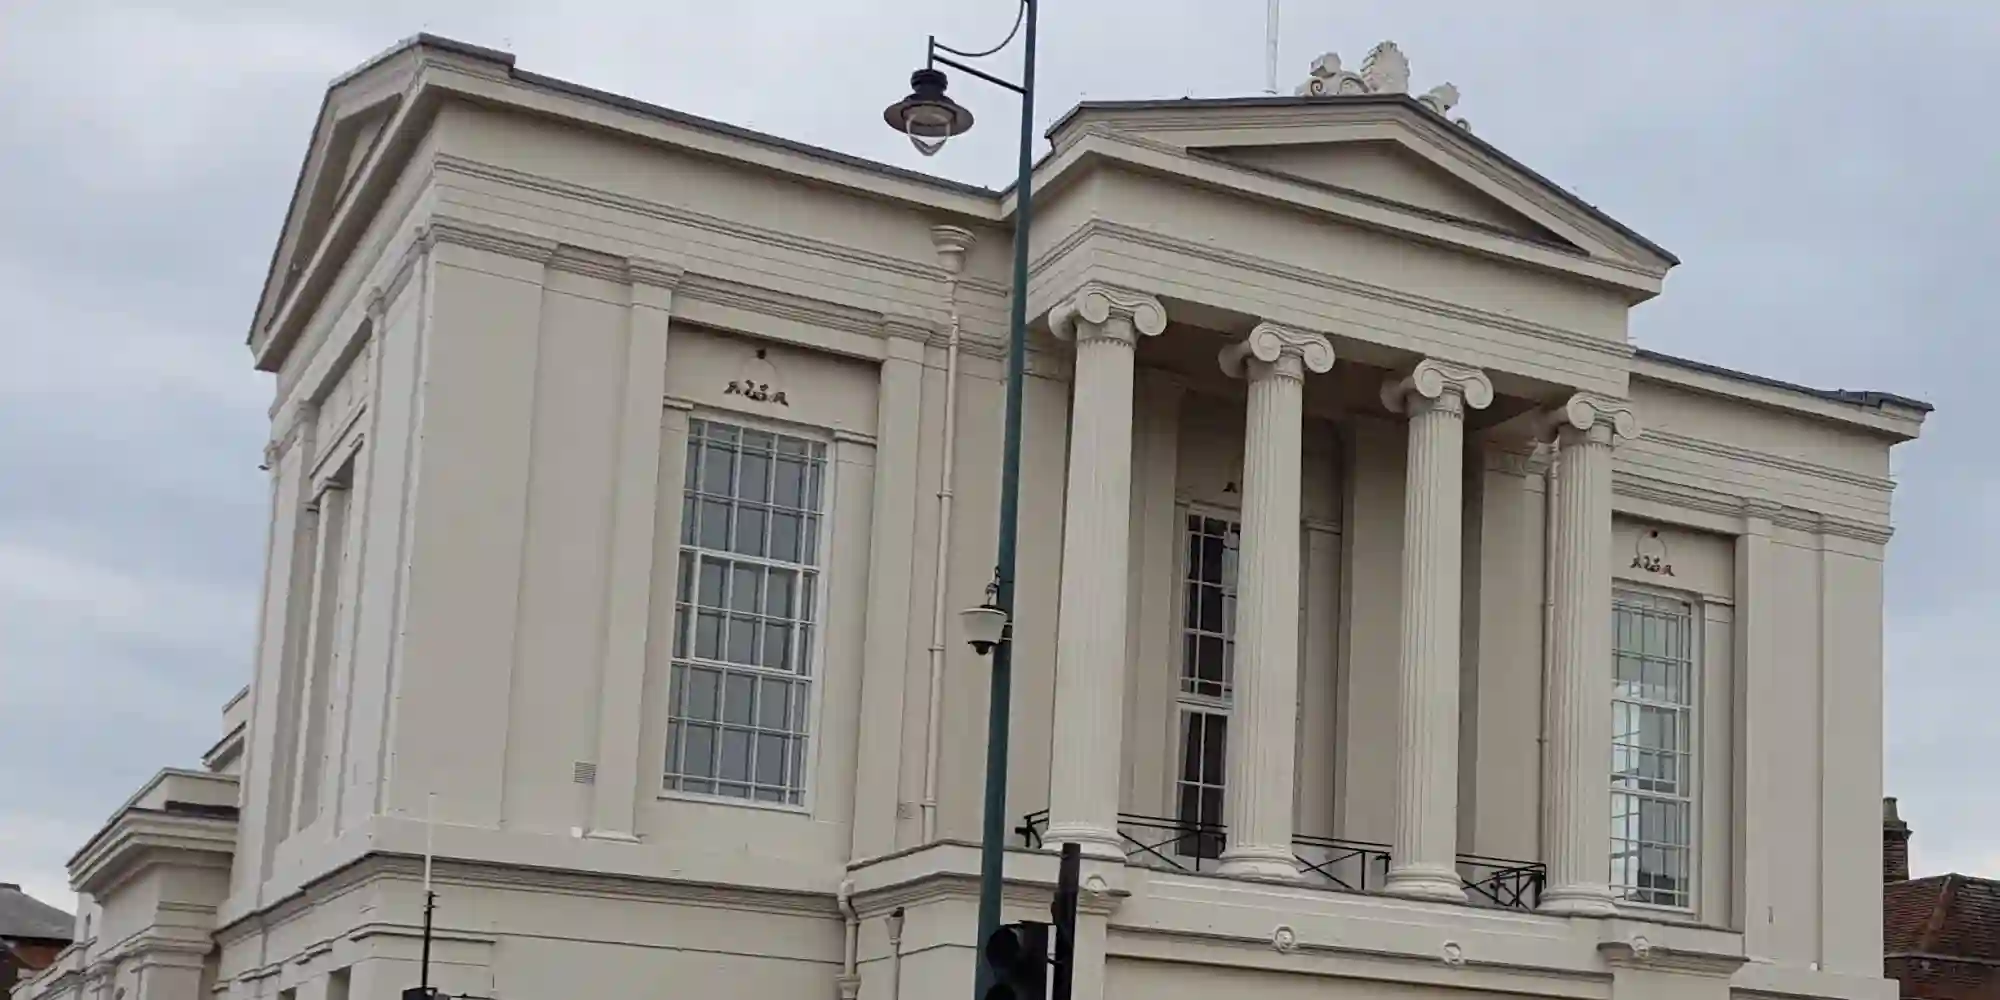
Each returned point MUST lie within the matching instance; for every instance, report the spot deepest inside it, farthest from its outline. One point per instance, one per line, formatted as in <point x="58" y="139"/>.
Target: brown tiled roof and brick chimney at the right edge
<point x="1941" y="935"/>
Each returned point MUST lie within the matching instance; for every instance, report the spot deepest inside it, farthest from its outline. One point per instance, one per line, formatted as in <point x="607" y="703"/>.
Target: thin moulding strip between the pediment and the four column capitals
<point x="1621" y="353"/>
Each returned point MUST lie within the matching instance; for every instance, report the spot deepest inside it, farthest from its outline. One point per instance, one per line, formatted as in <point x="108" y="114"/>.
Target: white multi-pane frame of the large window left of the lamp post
<point x="821" y="593"/>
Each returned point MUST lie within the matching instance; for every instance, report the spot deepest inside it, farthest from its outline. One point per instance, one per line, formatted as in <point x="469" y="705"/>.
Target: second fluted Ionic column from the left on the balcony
<point x="1265" y="719"/>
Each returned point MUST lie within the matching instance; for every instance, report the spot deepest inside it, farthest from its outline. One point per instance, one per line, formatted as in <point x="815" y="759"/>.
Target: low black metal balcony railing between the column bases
<point x="1345" y="865"/>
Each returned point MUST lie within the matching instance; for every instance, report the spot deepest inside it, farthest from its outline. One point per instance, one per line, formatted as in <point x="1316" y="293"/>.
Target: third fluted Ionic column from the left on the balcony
<point x="1423" y="857"/>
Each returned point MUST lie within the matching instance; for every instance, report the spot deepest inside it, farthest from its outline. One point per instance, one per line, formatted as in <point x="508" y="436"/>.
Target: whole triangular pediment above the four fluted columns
<point x="1385" y="149"/>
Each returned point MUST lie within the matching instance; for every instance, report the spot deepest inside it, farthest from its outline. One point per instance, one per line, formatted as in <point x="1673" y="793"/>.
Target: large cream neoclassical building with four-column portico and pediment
<point x="1389" y="623"/>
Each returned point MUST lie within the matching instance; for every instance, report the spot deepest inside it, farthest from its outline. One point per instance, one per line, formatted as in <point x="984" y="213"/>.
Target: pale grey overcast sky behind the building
<point x="1825" y="171"/>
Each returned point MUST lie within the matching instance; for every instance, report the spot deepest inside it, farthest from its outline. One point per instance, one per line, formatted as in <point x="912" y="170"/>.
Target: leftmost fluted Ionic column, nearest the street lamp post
<point x="1091" y="635"/>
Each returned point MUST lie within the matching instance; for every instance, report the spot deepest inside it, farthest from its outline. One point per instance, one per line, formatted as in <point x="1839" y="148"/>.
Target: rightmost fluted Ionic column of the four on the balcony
<point x="1577" y="825"/>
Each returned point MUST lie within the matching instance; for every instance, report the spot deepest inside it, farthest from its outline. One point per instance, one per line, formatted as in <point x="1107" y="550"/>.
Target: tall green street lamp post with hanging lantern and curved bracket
<point x="929" y="119"/>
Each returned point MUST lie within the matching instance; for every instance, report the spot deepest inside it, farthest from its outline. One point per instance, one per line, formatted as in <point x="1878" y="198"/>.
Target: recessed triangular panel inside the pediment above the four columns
<point x="1395" y="175"/>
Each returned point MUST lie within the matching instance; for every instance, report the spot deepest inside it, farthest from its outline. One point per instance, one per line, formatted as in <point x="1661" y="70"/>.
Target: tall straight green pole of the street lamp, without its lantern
<point x="993" y="841"/>
